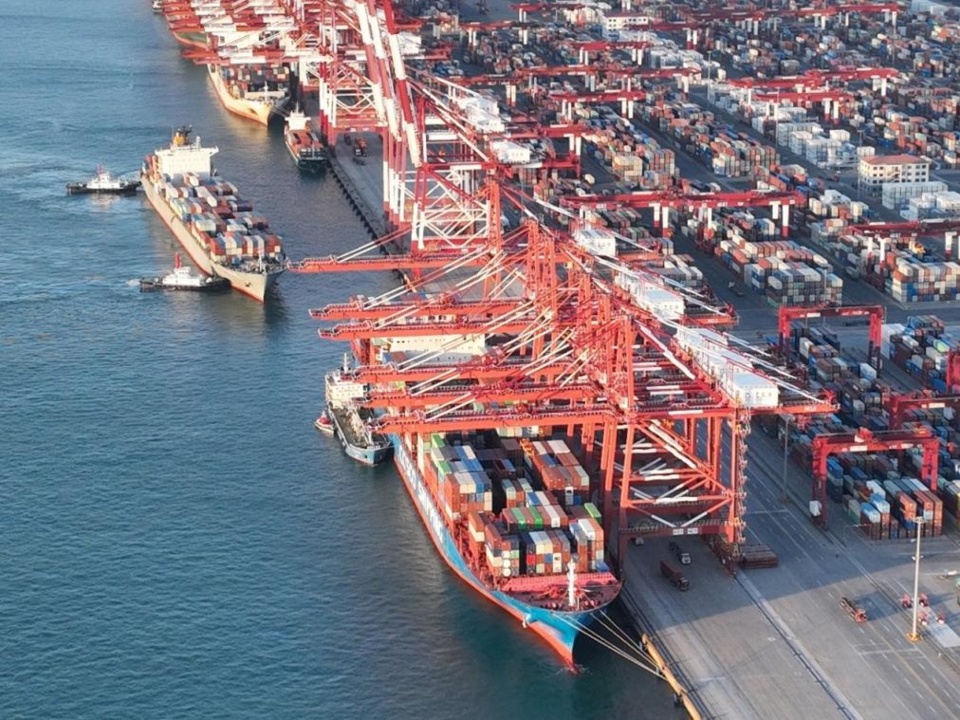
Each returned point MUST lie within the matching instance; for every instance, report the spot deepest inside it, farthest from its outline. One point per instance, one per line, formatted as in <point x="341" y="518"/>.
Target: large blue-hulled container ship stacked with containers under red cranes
<point x="509" y="516"/>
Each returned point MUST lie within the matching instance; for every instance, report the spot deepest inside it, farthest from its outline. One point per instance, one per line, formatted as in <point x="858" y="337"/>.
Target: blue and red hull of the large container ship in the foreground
<point x="558" y="628"/>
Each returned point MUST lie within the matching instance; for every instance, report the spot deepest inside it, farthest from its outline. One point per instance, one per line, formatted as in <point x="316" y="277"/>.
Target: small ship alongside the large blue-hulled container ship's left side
<point x="351" y="422"/>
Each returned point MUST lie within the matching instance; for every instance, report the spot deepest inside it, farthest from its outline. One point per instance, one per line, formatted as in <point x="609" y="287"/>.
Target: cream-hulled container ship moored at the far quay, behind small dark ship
<point x="256" y="92"/>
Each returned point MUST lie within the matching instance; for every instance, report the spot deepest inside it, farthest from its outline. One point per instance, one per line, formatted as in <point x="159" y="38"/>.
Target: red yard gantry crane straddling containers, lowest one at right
<point x="825" y="445"/>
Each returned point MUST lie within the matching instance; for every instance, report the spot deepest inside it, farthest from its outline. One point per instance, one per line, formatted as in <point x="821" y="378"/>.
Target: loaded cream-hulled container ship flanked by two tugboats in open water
<point x="218" y="230"/>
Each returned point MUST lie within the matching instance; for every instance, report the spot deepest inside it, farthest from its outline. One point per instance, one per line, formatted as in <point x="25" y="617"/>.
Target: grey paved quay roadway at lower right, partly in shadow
<point x="775" y="642"/>
